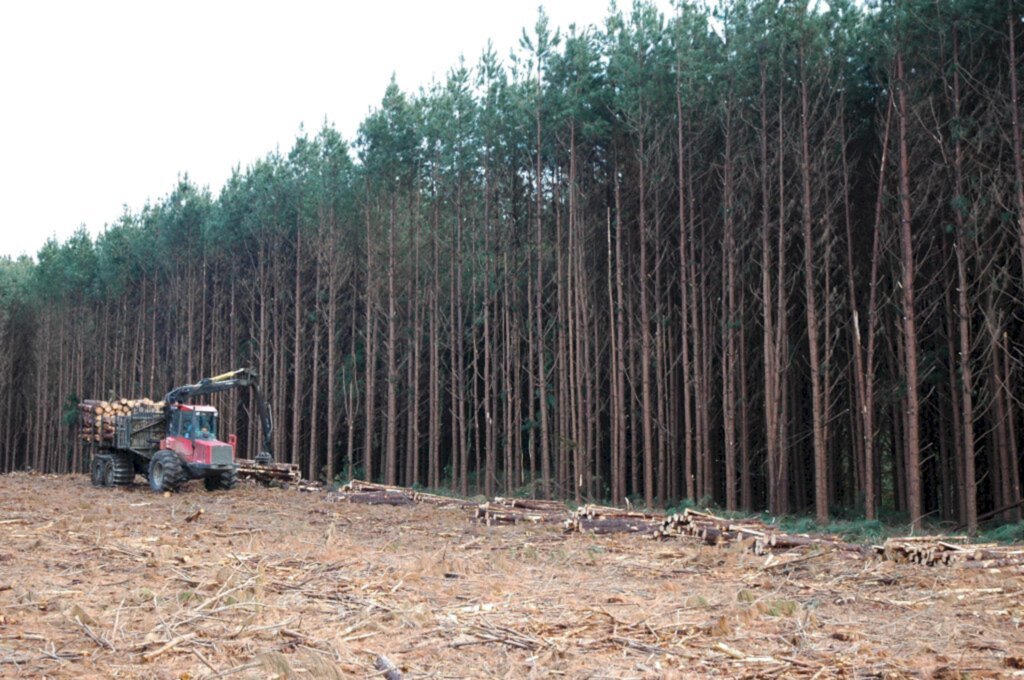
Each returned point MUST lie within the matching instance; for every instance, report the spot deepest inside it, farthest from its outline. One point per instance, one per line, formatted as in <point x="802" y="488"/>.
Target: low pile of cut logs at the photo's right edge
<point x="951" y="550"/>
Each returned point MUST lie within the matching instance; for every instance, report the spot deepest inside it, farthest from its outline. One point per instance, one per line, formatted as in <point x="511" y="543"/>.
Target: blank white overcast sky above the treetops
<point x="105" y="104"/>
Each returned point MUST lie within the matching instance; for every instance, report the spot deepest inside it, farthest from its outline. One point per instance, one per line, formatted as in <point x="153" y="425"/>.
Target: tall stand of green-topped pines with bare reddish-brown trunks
<point x="767" y="257"/>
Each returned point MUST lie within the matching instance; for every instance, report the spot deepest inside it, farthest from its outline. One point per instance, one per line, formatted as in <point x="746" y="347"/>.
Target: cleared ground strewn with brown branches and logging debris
<point x="273" y="583"/>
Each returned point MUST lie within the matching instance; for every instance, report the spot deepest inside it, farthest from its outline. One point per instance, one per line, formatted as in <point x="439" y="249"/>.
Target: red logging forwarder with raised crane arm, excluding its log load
<point x="180" y="443"/>
